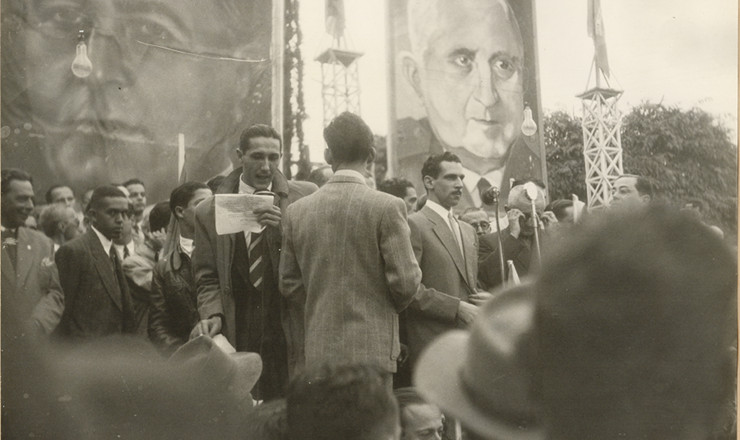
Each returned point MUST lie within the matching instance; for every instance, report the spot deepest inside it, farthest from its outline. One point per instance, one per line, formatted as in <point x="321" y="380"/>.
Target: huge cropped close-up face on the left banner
<point x="159" y="68"/>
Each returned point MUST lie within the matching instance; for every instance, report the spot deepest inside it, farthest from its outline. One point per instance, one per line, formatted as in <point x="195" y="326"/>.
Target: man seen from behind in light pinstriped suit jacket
<point x="347" y="258"/>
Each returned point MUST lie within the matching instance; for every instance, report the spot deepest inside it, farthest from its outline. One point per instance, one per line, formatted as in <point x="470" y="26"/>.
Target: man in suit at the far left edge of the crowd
<point x="30" y="281"/>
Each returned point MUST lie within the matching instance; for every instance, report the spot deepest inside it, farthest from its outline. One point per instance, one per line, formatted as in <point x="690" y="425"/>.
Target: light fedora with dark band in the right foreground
<point x="480" y="376"/>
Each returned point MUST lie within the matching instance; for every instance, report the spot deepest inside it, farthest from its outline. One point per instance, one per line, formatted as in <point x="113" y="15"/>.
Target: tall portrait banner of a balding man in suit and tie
<point x="463" y="78"/>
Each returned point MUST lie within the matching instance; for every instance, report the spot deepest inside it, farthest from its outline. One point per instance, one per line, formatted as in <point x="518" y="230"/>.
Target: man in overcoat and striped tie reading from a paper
<point x="236" y="275"/>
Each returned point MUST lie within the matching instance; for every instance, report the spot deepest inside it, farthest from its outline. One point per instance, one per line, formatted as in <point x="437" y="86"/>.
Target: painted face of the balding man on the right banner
<point x="467" y="71"/>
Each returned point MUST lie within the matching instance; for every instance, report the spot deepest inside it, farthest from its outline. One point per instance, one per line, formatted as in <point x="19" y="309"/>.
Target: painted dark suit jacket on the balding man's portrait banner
<point x="416" y="142"/>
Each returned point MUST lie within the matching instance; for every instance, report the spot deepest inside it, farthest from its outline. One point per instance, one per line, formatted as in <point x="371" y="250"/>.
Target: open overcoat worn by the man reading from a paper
<point x="214" y="254"/>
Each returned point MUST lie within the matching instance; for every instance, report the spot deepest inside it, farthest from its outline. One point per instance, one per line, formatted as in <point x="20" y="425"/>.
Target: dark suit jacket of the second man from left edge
<point x="93" y="299"/>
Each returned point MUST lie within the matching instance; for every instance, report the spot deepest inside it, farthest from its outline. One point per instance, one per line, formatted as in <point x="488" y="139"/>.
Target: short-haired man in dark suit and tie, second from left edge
<point x="97" y="298"/>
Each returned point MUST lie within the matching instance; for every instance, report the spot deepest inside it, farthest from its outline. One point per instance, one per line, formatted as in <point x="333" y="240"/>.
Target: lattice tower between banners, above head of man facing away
<point x="340" y="82"/>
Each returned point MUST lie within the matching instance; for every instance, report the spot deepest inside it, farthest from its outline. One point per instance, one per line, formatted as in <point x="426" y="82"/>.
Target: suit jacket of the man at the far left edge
<point x="32" y="290"/>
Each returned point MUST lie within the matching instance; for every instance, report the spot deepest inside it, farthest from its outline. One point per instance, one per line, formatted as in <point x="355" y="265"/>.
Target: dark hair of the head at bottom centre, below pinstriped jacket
<point x="340" y="402"/>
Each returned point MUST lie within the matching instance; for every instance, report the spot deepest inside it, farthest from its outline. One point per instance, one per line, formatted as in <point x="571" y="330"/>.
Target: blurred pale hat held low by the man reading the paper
<point x="215" y="361"/>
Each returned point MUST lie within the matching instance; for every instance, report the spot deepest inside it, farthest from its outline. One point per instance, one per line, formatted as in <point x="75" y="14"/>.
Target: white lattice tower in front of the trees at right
<point x="602" y="143"/>
